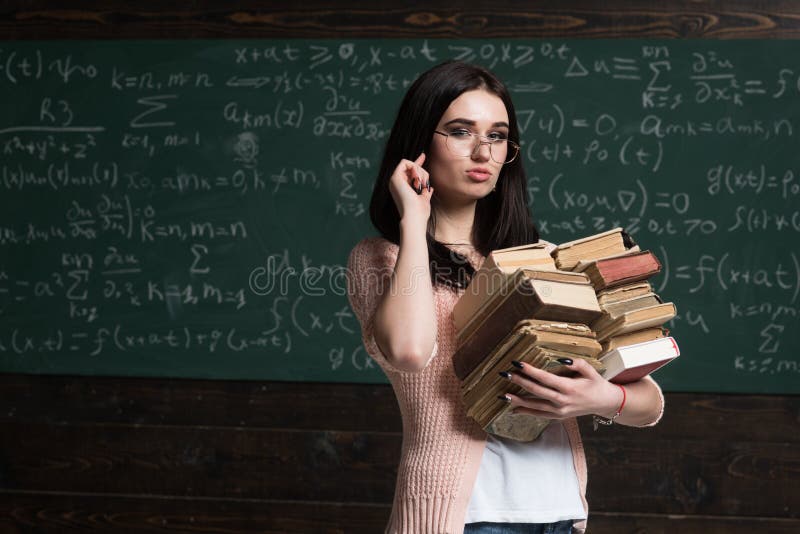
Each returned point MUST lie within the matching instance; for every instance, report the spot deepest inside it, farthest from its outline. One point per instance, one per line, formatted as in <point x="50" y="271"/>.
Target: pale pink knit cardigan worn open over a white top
<point x="442" y="447"/>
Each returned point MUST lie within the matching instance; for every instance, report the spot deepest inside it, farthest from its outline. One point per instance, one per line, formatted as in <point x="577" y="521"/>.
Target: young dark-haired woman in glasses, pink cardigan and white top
<point x="451" y="188"/>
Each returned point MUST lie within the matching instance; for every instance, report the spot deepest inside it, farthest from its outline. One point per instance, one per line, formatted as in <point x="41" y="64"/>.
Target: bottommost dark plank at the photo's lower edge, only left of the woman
<point x="48" y="513"/>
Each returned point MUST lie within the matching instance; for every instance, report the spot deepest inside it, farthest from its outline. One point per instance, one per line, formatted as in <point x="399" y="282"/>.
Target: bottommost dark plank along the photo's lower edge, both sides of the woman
<point x="49" y="513"/>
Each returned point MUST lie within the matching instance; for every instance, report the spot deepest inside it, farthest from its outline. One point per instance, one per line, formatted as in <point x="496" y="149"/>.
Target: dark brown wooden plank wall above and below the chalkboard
<point x="163" y="455"/>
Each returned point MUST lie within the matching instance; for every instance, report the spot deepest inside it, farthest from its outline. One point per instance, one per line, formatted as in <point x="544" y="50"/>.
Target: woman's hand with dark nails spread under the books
<point x="560" y="397"/>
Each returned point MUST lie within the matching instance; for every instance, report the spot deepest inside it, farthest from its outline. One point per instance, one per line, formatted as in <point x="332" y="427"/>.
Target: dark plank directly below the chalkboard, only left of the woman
<point x="220" y="403"/>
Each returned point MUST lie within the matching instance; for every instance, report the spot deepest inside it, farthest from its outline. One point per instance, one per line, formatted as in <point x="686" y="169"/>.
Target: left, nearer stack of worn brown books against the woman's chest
<point x="535" y="316"/>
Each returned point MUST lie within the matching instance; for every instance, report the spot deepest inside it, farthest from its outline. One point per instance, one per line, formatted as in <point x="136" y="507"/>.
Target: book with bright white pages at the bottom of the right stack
<point x="628" y="364"/>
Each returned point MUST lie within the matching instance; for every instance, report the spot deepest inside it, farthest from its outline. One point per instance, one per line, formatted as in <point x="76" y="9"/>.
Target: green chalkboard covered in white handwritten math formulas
<point x="185" y="209"/>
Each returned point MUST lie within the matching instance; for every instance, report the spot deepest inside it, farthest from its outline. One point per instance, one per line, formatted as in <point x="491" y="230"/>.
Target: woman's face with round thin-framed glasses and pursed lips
<point x="458" y="179"/>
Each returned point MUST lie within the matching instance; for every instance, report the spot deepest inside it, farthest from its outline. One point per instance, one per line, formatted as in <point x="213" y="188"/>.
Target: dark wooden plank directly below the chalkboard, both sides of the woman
<point x="354" y="407"/>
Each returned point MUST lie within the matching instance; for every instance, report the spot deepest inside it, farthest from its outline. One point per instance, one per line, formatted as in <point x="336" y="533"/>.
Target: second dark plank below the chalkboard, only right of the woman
<point x="695" y="477"/>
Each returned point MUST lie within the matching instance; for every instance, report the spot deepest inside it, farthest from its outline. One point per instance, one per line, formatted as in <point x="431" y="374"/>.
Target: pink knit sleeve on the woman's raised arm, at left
<point x="369" y="271"/>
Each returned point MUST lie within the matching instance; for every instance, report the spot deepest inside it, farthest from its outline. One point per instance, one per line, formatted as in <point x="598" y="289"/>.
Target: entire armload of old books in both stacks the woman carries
<point x="590" y="299"/>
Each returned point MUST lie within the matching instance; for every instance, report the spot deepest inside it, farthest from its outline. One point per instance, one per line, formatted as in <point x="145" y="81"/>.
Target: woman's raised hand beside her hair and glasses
<point x="407" y="179"/>
